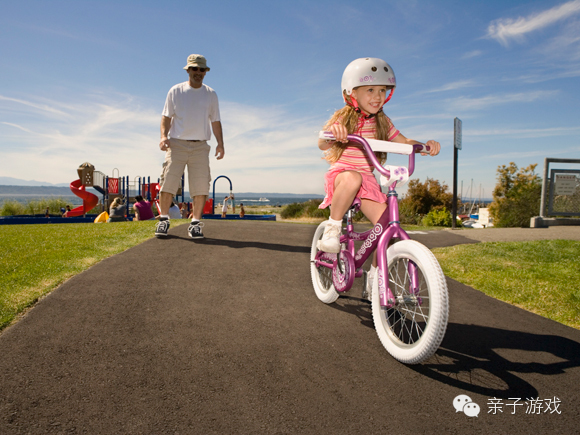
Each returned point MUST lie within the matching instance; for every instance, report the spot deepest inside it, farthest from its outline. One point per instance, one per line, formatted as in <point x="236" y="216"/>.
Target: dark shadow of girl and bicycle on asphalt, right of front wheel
<point x="483" y="360"/>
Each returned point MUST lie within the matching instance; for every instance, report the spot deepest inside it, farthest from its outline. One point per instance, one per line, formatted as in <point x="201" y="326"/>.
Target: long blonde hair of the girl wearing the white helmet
<point x="351" y="120"/>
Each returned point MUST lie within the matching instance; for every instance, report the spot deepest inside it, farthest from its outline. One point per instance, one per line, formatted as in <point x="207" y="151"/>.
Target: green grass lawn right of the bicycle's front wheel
<point x="541" y="276"/>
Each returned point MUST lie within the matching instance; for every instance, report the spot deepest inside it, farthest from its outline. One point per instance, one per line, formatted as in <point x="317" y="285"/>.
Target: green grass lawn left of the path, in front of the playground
<point x="34" y="259"/>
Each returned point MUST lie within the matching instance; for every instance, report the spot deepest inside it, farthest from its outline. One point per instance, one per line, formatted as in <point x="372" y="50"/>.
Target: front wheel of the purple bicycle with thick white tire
<point x="413" y="329"/>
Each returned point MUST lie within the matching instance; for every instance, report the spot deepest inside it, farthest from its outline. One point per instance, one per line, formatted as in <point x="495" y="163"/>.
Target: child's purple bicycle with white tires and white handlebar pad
<point x="410" y="308"/>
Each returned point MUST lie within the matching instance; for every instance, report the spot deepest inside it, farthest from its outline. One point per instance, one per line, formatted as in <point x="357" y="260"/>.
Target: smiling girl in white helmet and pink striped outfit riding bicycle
<point x="367" y="85"/>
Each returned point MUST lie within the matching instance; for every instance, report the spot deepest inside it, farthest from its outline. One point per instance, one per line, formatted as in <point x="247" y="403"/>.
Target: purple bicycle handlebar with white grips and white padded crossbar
<point x="372" y="145"/>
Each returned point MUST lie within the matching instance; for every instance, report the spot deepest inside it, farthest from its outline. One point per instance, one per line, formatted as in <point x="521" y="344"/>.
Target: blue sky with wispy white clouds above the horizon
<point x="87" y="80"/>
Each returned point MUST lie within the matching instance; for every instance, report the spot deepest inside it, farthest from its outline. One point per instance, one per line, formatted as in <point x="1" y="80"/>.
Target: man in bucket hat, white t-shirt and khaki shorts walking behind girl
<point x="191" y="108"/>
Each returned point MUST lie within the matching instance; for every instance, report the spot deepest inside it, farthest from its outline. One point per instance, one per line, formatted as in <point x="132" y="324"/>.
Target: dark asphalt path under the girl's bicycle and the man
<point x="226" y="336"/>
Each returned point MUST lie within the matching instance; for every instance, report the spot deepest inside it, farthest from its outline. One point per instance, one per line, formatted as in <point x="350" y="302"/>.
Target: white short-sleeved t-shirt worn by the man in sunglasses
<point x="192" y="111"/>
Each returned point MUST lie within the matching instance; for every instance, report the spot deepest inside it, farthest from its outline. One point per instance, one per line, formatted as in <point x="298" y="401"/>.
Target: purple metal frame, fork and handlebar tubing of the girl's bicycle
<point x="348" y="264"/>
